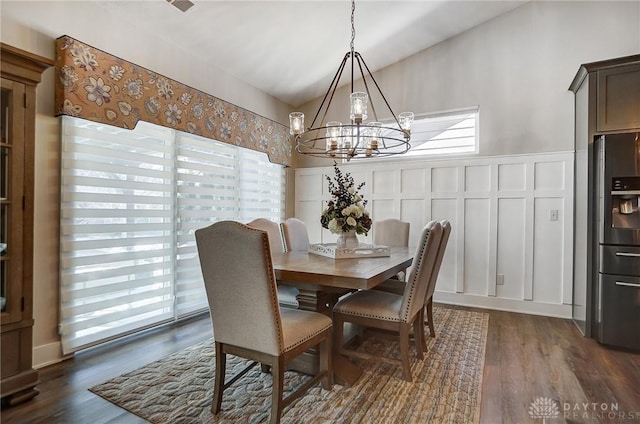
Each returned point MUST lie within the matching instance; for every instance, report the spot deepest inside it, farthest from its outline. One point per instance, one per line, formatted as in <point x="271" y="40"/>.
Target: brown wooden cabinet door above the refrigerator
<point x="618" y="105"/>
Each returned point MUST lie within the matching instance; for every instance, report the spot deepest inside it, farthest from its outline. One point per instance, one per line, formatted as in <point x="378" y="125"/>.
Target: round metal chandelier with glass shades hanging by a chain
<point x="358" y="137"/>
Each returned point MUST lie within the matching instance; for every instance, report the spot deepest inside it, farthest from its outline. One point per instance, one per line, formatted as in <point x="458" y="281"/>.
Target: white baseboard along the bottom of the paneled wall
<point x="500" y="304"/>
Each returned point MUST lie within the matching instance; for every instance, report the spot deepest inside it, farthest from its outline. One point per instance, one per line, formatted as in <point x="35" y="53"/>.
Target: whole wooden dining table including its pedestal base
<point x="322" y="280"/>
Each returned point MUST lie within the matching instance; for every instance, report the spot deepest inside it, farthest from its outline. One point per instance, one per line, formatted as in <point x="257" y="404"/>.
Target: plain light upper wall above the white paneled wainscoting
<point x="517" y="68"/>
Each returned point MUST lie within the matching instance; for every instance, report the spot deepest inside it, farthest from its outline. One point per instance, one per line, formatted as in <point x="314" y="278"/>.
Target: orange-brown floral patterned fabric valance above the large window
<point x="97" y="86"/>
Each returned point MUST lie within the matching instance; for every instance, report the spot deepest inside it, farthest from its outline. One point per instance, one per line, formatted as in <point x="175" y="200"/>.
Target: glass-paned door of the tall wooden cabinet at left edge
<point x="11" y="199"/>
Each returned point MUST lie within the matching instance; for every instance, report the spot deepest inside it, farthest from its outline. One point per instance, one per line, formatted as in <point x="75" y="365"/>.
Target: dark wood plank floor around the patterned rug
<point x="527" y="357"/>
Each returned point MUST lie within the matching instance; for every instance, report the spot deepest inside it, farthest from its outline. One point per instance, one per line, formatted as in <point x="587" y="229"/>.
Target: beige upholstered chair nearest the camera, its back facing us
<point x="247" y="320"/>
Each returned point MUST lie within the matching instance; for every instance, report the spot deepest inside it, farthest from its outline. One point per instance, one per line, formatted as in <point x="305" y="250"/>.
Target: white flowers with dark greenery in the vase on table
<point x="346" y="211"/>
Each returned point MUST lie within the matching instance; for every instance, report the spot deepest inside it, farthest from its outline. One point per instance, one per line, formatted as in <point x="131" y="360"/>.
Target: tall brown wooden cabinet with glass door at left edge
<point x="21" y="72"/>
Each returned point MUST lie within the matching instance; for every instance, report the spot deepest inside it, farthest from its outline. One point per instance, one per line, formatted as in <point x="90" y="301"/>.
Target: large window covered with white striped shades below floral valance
<point x="131" y="202"/>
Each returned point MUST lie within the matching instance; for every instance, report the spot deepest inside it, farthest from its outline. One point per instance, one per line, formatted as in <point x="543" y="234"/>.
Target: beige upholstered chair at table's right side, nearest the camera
<point x="390" y="311"/>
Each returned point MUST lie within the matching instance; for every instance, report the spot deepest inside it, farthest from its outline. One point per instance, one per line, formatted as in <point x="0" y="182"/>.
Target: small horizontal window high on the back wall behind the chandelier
<point x="451" y="132"/>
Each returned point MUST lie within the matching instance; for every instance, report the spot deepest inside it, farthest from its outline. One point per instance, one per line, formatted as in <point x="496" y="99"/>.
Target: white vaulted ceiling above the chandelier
<point x="291" y="49"/>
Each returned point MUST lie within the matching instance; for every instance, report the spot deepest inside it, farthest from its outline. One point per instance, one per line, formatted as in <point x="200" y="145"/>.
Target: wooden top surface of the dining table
<point x="352" y="273"/>
